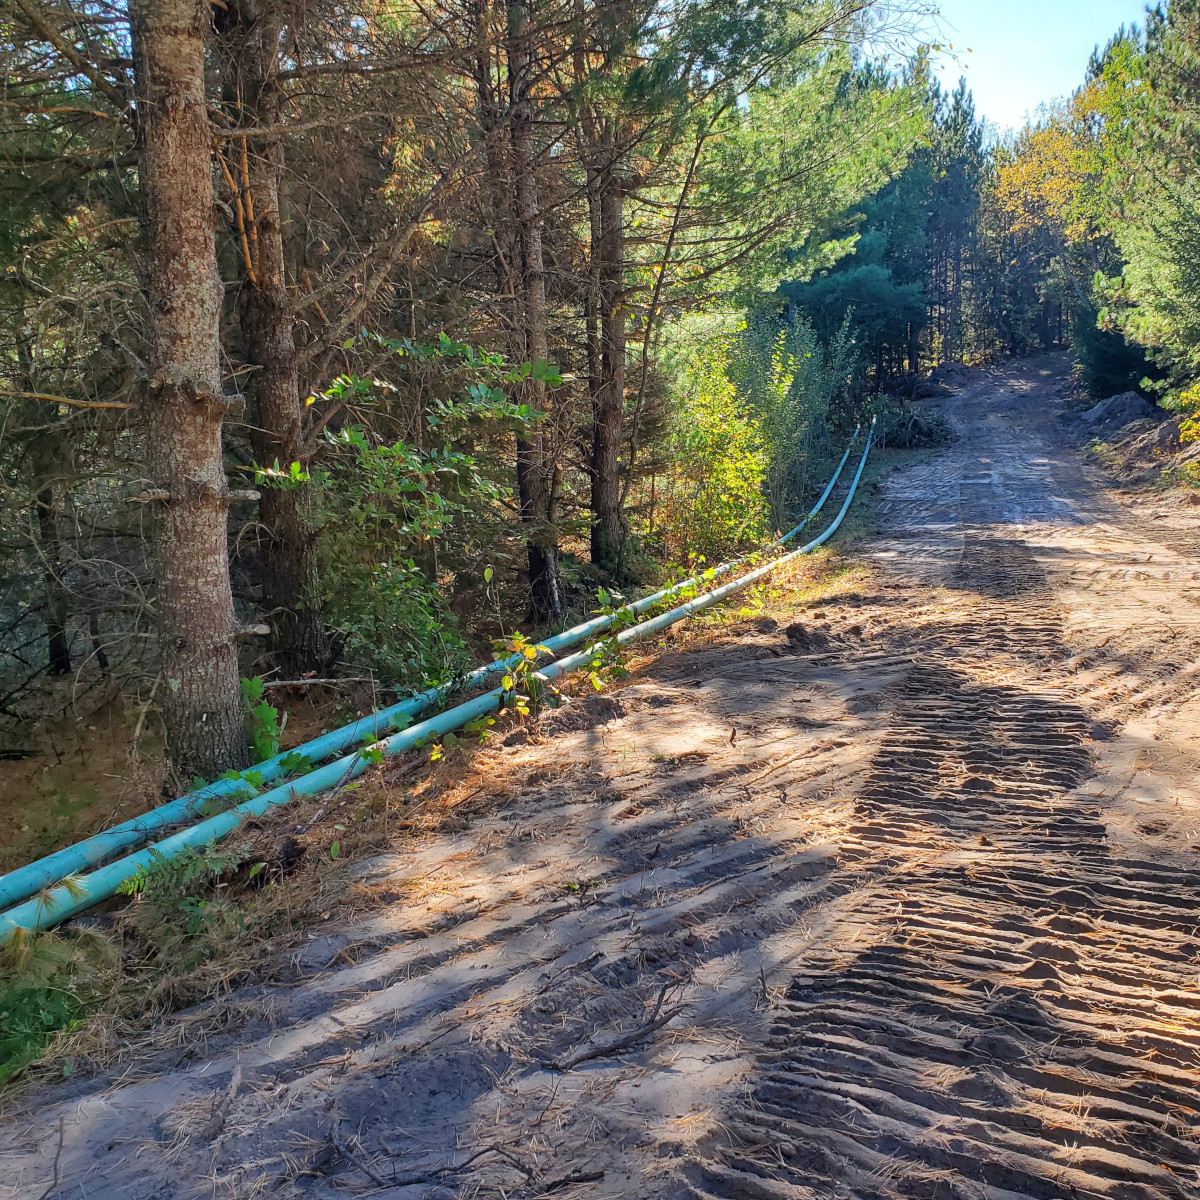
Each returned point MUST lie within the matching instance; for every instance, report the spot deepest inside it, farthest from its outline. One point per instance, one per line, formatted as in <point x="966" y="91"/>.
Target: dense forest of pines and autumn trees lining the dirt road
<point x="337" y="334"/>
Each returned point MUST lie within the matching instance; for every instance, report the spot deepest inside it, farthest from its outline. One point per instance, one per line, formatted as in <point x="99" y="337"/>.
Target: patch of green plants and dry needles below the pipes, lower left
<point x="193" y="928"/>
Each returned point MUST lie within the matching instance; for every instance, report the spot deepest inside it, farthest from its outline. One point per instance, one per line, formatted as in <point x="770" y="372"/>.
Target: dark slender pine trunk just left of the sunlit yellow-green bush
<point x="609" y="530"/>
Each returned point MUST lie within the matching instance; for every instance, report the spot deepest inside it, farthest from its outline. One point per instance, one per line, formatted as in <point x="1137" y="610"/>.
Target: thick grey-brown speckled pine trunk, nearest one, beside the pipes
<point x="183" y="406"/>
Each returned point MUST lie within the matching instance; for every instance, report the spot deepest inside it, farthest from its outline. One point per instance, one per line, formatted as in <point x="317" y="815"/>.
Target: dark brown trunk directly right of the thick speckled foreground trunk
<point x="287" y="549"/>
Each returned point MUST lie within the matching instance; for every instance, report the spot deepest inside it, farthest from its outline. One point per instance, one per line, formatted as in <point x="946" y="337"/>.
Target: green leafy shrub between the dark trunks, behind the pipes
<point x="385" y="508"/>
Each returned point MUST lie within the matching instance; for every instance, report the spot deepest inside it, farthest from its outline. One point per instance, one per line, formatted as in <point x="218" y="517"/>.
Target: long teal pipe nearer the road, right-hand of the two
<point x="65" y="902"/>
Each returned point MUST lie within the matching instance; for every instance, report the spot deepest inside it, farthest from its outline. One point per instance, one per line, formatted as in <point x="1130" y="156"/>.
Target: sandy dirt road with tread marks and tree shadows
<point x="890" y="896"/>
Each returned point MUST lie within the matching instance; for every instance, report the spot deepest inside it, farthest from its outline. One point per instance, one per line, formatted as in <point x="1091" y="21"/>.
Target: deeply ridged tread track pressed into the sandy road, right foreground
<point x="1024" y="1022"/>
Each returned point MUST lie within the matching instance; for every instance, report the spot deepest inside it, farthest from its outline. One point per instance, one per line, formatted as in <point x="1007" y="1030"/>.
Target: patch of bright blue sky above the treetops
<point x="1027" y="52"/>
